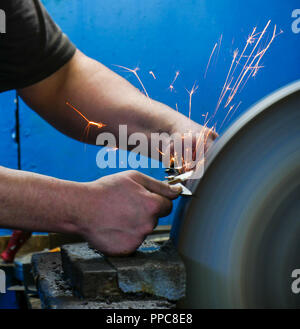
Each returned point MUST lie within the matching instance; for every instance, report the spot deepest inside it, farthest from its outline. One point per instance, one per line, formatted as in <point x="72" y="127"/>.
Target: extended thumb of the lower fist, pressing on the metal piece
<point x="158" y="187"/>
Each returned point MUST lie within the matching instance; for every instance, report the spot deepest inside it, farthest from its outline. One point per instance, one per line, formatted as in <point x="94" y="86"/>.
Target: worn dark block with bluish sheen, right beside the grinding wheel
<point x="157" y="272"/>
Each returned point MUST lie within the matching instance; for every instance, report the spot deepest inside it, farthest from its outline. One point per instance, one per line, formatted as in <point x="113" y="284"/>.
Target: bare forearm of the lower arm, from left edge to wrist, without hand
<point x="36" y="203"/>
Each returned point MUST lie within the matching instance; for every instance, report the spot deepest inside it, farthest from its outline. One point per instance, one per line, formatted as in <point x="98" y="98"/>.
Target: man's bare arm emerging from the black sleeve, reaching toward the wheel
<point x="102" y="96"/>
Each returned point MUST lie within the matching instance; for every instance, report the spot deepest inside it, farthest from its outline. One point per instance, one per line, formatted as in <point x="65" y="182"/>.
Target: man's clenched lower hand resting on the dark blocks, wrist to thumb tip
<point x="117" y="212"/>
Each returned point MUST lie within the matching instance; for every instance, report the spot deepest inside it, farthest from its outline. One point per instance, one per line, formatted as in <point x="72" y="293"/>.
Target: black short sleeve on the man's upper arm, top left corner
<point x="33" y="46"/>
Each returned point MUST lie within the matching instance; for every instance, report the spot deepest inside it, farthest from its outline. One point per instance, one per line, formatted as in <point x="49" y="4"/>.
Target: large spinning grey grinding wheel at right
<point x="239" y="234"/>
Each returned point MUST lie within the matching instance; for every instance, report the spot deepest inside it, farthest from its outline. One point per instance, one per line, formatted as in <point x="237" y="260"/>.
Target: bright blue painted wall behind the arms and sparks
<point x="159" y="35"/>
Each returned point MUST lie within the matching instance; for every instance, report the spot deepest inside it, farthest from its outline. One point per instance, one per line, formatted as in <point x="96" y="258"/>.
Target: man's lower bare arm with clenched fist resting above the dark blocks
<point x="114" y="213"/>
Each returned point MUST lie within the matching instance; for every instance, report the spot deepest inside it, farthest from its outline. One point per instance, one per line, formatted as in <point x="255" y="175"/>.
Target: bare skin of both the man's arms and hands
<point x="114" y="213"/>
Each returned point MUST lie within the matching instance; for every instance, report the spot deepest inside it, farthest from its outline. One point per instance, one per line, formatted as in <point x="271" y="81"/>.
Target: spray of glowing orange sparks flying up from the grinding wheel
<point x="244" y="65"/>
